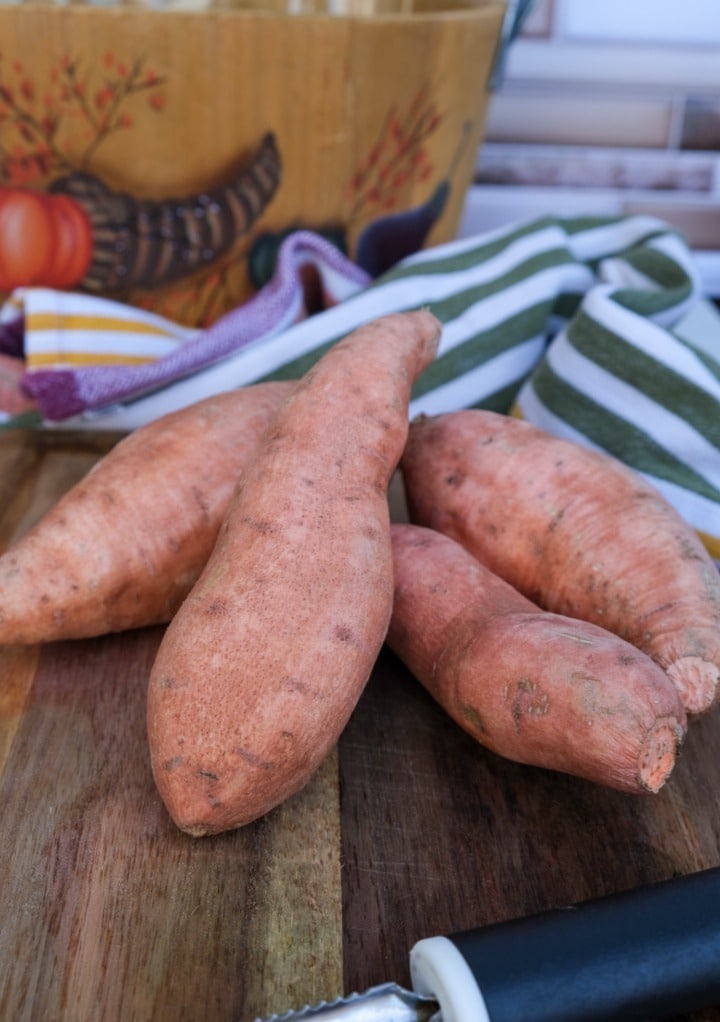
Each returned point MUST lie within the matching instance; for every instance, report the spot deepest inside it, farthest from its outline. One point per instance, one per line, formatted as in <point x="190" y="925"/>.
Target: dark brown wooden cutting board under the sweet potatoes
<point x="410" y="830"/>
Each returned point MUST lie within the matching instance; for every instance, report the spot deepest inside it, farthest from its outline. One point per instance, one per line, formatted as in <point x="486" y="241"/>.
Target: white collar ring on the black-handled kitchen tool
<point x="439" y="969"/>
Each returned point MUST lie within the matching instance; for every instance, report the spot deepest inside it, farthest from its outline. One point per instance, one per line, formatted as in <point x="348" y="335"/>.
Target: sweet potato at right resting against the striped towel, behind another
<point x="577" y="532"/>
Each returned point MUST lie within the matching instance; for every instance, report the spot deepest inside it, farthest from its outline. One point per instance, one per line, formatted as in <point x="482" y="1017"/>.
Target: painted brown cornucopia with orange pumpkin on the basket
<point x="81" y="234"/>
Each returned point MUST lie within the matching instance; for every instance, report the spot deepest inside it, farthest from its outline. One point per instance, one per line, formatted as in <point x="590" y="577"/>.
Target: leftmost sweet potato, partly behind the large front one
<point x="123" y="548"/>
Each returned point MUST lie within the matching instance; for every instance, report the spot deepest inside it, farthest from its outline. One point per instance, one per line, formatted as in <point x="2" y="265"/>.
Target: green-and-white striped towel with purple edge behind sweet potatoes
<point x="569" y="322"/>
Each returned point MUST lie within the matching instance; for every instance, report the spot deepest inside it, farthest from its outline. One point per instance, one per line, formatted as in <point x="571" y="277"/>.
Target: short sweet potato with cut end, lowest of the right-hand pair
<point x="533" y="686"/>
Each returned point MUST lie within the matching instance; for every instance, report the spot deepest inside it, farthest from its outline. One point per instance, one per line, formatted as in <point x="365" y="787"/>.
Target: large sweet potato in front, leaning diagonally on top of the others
<point x="261" y="669"/>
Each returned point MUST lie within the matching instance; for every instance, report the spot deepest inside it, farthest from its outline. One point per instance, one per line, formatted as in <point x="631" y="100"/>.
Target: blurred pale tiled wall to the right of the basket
<point x="612" y="106"/>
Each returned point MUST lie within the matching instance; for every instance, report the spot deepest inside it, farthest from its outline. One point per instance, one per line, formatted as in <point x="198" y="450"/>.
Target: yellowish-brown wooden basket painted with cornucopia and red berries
<point x="160" y="157"/>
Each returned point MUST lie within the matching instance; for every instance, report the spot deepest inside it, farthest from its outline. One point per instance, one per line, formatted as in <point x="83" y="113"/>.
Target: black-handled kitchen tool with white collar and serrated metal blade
<point x="650" y="953"/>
